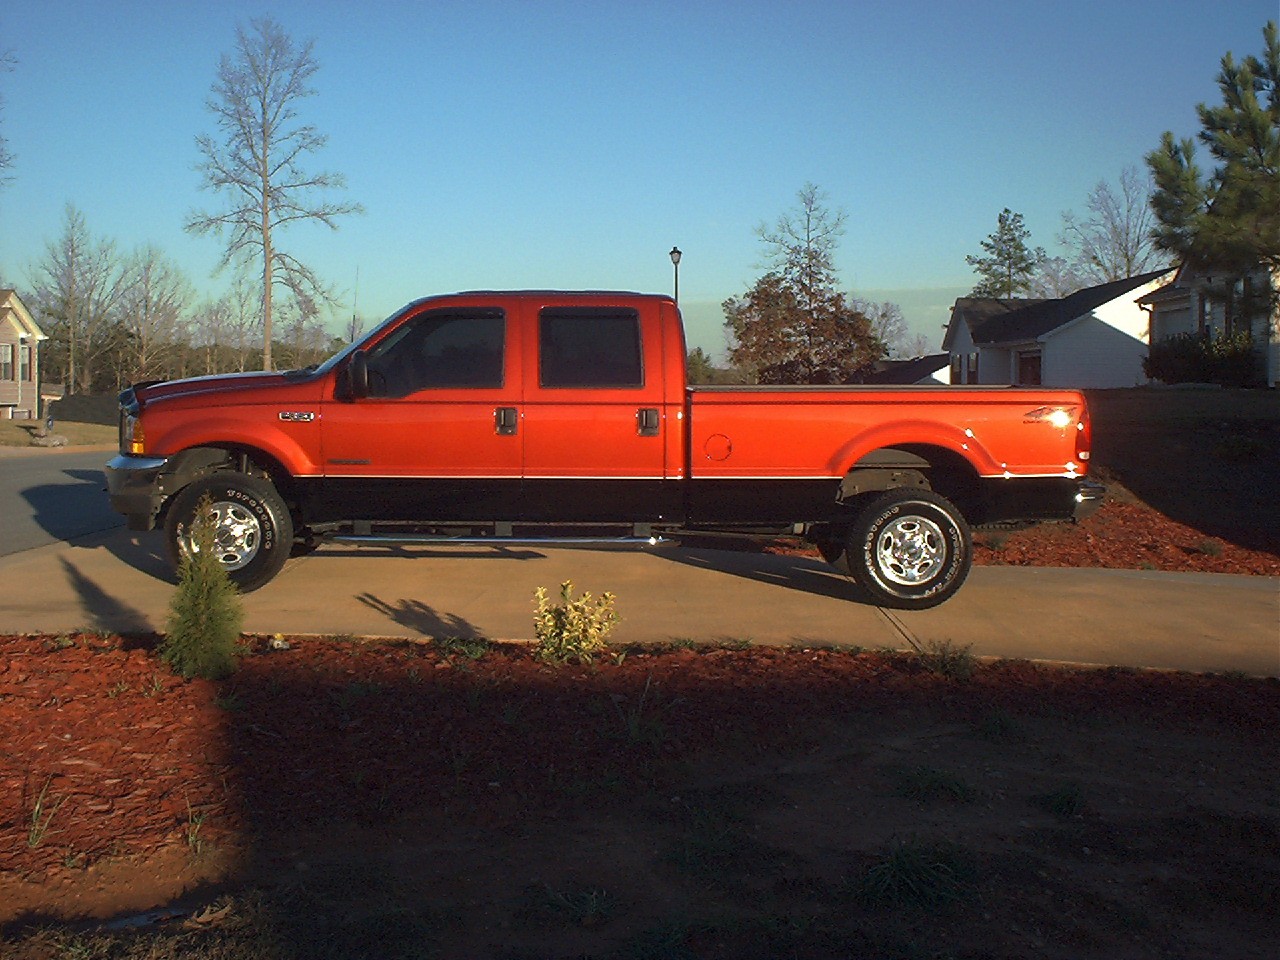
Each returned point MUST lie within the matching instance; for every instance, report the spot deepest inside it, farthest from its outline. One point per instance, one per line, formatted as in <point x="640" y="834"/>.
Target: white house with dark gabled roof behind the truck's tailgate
<point x="1095" y="339"/>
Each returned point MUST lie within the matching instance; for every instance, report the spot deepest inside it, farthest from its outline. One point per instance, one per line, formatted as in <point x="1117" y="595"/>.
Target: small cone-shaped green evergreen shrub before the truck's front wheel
<point x="205" y="615"/>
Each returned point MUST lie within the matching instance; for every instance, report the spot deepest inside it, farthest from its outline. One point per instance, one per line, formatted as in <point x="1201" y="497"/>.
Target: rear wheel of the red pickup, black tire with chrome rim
<point x="909" y="550"/>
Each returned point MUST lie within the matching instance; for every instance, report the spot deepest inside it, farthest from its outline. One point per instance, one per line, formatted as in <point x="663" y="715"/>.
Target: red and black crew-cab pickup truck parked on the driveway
<point x="548" y="415"/>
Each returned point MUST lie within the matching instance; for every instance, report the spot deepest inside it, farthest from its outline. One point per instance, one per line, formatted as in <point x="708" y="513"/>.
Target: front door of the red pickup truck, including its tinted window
<point x="437" y="440"/>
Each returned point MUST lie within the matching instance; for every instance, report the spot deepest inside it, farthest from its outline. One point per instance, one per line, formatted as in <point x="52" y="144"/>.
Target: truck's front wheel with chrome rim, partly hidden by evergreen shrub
<point x="255" y="531"/>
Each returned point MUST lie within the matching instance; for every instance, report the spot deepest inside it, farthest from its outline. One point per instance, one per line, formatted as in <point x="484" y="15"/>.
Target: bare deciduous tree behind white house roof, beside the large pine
<point x="1117" y="240"/>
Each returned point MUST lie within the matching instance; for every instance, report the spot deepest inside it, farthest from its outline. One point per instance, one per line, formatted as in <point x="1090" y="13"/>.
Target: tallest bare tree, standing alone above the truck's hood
<point x="257" y="163"/>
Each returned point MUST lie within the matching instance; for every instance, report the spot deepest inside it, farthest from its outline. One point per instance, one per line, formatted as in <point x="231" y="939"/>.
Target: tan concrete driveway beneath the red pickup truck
<point x="118" y="582"/>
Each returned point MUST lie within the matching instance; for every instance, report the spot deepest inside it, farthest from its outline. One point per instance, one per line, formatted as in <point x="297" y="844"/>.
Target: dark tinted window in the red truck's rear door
<point x="589" y="348"/>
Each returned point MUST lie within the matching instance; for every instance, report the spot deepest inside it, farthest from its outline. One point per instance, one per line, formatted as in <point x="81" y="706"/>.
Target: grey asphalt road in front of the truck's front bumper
<point x="52" y="496"/>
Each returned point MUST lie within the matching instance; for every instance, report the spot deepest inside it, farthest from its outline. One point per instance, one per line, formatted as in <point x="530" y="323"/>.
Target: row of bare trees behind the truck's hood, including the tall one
<point x="115" y="318"/>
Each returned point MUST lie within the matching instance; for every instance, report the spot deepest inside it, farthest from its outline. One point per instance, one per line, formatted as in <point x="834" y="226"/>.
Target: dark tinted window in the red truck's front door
<point x="447" y="350"/>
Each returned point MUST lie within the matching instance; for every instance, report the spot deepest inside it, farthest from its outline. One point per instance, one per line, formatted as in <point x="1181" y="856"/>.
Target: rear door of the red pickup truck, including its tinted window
<point x="596" y="419"/>
